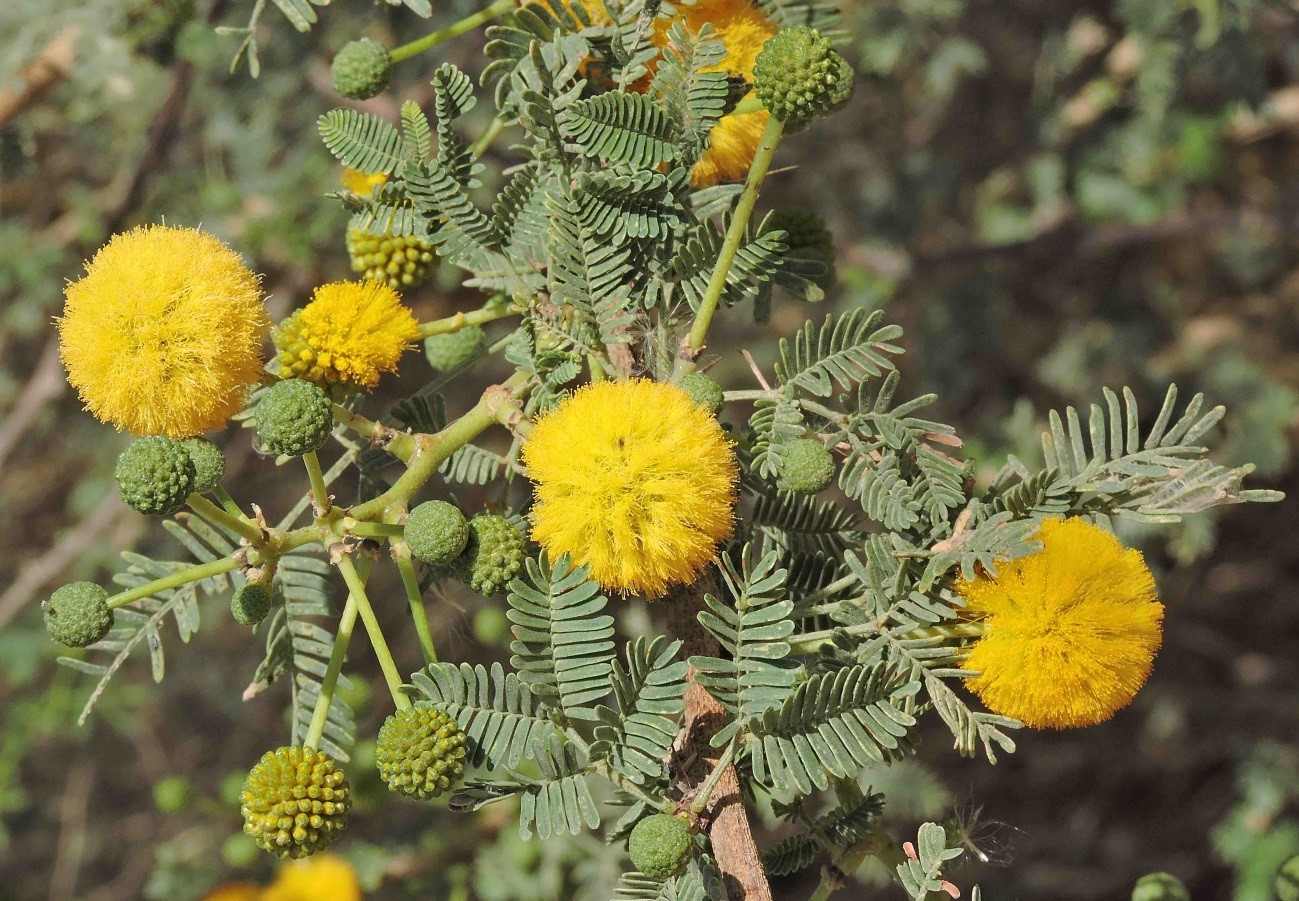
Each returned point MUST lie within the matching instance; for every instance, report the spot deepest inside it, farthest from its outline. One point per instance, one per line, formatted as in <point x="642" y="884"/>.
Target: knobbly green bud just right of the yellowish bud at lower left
<point x="422" y="752"/>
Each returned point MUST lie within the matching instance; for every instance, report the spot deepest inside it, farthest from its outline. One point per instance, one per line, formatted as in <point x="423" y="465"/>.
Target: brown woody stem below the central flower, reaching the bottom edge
<point x="694" y="758"/>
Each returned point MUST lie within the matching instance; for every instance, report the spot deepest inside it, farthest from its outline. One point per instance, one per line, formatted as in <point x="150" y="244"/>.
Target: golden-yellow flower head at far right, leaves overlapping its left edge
<point x="1072" y="630"/>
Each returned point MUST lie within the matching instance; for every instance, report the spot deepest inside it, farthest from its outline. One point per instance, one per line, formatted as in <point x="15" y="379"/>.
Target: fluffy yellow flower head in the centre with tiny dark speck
<point x="636" y="481"/>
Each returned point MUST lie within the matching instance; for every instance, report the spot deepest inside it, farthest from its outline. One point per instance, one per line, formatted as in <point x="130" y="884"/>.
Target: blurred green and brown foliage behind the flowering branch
<point x="1049" y="197"/>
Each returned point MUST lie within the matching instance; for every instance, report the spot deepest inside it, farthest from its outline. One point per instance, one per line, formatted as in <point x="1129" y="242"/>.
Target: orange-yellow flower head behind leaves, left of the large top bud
<point x="744" y="29"/>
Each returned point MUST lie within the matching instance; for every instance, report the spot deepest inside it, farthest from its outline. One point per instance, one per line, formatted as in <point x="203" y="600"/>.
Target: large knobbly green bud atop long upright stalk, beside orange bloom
<point x="798" y="76"/>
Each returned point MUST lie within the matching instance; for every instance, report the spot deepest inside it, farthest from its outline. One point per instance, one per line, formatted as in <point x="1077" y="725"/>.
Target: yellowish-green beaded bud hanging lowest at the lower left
<point x="296" y="802"/>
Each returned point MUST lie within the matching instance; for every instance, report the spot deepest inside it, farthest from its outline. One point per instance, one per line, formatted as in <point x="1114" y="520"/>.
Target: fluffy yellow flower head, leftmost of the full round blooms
<point x="163" y="336"/>
